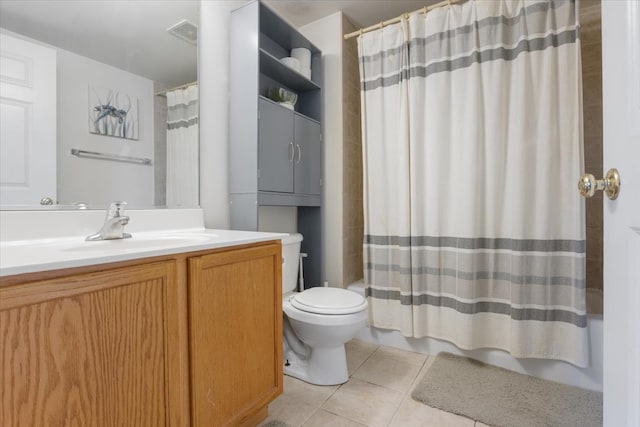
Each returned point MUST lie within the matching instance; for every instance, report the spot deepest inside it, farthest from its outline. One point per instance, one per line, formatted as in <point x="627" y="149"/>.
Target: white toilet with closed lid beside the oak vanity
<point x="317" y="323"/>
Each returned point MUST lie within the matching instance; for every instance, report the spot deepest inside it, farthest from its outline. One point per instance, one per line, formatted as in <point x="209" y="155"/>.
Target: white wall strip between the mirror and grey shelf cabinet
<point x="213" y="75"/>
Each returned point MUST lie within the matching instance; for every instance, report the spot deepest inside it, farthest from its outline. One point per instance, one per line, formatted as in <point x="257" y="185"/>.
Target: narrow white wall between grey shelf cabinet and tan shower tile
<point x="326" y="34"/>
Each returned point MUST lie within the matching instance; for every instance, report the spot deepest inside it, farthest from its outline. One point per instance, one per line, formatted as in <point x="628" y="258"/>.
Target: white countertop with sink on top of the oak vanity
<point x="32" y="254"/>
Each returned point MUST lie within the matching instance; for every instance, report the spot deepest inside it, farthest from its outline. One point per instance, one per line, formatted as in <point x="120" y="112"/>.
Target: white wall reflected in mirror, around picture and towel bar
<point x="94" y="181"/>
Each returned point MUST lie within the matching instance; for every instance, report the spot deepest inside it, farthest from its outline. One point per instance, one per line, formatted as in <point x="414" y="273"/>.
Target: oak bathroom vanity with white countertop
<point x="167" y="328"/>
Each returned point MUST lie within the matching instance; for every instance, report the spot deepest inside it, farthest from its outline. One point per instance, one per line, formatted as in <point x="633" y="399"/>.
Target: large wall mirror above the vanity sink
<point x="85" y="88"/>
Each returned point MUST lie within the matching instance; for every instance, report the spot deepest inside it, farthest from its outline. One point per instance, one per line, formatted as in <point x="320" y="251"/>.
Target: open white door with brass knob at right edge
<point x="621" y="127"/>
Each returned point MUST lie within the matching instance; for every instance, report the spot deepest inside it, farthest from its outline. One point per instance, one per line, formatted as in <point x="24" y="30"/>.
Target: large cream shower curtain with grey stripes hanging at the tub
<point x="472" y="145"/>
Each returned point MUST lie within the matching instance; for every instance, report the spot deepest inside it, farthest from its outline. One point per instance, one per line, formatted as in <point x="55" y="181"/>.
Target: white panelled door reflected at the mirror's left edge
<point x="27" y="122"/>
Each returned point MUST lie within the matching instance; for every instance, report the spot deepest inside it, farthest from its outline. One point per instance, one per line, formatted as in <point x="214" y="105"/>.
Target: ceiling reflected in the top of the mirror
<point x="130" y="35"/>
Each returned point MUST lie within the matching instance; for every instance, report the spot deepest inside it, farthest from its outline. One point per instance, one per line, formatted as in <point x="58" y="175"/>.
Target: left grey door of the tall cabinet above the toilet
<point x="275" y="148"/>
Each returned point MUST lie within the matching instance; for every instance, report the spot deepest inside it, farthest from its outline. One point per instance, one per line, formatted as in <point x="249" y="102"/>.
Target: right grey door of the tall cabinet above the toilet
<point x="308" y="156"/>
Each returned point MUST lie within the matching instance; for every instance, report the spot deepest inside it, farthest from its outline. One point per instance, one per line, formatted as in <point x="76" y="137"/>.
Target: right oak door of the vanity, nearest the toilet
<point x="235" y="322"/>
